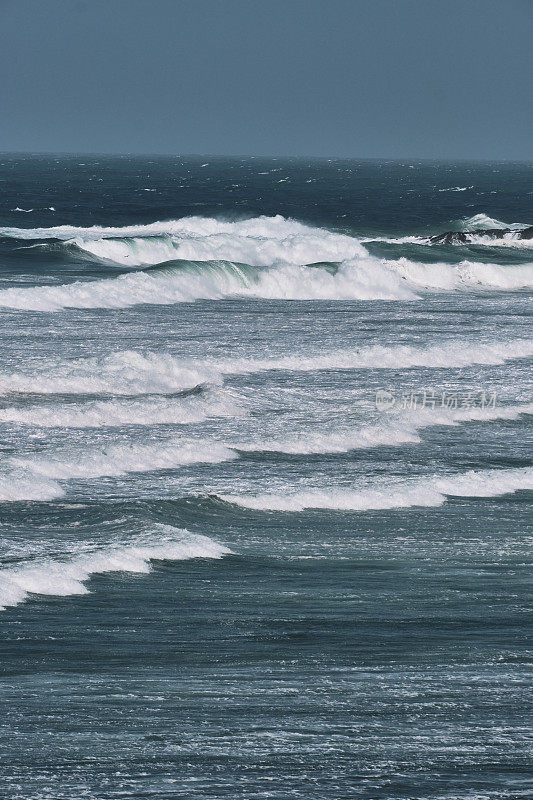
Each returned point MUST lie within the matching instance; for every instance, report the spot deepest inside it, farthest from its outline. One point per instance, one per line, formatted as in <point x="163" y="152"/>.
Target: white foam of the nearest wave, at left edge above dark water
<point x="64" y="577"/>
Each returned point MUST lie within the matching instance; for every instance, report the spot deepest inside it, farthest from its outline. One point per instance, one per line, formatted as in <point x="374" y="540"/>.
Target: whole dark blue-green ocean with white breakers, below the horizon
<point x="265" y="479"/>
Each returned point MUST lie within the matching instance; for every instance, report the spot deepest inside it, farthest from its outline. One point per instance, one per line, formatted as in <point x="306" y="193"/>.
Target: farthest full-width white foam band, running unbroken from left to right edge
<point x="364" y="278"/>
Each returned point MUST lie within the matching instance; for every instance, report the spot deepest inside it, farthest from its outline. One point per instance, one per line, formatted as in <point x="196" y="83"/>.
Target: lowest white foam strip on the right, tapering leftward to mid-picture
<point x="429" y="491"/>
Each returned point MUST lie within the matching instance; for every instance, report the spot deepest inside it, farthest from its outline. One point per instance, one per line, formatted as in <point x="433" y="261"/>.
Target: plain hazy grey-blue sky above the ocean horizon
<point x="438" y="79"/>
